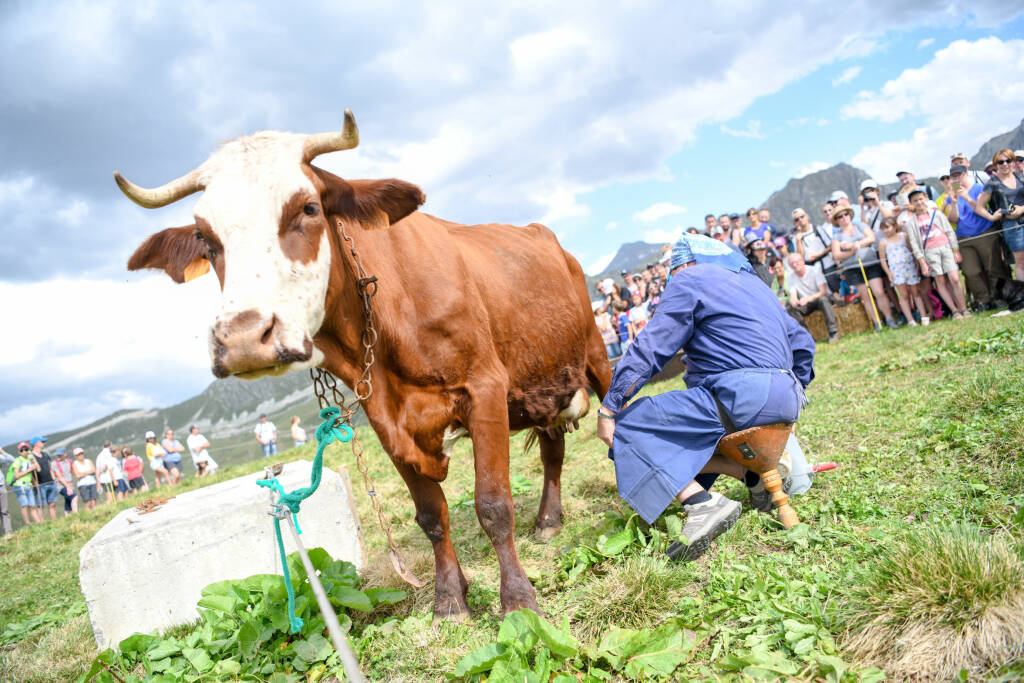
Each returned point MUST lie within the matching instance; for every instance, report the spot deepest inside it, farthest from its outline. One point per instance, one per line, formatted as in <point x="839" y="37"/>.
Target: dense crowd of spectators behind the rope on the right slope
<point x="902" y="255"/>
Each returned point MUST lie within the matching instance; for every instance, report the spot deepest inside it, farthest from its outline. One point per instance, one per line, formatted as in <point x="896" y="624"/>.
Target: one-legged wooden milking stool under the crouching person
<point x="758" y="450"/>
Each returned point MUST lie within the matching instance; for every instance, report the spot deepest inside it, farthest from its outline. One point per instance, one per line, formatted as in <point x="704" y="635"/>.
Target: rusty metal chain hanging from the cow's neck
<point x="324" y="382"/>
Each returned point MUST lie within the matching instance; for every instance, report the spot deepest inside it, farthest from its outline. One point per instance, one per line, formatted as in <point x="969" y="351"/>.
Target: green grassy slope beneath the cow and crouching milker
<point x="927" y="425"/>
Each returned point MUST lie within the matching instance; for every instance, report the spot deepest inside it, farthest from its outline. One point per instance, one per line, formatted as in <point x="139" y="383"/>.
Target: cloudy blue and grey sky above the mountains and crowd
<point x="608" y="122"/>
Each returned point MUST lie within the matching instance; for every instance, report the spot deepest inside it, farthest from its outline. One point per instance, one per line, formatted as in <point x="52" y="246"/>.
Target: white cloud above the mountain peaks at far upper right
<point x="987" y="102"/>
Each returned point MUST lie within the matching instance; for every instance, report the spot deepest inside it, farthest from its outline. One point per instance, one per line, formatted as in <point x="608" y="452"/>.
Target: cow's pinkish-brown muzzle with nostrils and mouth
<point x="249" y="345"/>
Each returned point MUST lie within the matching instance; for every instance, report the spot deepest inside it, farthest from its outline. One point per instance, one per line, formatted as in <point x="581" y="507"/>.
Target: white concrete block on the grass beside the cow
<point x="145" y="572"/>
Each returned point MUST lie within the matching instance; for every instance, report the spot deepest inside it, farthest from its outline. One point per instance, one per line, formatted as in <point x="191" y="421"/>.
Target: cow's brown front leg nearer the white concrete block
<point x="432" y="516"/>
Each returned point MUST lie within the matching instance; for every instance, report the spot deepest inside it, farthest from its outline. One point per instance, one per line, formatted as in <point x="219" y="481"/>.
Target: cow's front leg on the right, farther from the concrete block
<point x="489" y="428"/>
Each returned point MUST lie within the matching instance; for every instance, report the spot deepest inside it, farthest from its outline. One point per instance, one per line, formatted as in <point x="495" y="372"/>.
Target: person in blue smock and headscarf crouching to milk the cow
<point x="747" y="364"/>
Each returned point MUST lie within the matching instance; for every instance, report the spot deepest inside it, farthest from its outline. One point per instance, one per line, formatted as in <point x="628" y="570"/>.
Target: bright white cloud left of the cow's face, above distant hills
<point x="105" y="346"/>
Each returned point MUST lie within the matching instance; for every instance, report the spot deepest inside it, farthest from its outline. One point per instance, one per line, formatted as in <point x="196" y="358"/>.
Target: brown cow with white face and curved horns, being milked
<point x="483" y="329"/>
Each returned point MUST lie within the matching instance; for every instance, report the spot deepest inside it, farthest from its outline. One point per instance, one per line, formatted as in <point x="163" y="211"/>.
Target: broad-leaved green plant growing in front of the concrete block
<point x="244" y="630"/>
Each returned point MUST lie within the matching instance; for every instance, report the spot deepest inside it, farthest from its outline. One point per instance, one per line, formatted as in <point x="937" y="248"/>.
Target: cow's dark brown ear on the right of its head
<point x="375" y="204"/>
